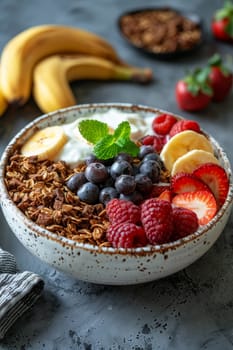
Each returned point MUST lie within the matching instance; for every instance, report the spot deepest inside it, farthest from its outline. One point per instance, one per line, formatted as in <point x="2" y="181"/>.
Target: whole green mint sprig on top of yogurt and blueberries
<point x="107" y="145"/>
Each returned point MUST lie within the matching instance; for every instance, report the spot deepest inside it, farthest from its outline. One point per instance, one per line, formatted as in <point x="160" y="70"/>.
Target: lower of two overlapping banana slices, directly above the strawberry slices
<point x="191" y="160"/>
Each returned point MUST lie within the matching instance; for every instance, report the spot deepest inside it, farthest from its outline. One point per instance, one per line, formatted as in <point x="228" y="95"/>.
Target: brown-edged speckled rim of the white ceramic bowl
<point x="149" y="249"/>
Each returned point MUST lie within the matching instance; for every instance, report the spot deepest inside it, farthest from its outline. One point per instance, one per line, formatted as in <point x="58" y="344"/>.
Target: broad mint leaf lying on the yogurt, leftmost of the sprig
<point x="93" y="130"/>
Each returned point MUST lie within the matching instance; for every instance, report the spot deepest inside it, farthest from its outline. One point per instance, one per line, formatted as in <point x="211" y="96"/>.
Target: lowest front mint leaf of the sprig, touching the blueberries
<point x="106" y="148"/>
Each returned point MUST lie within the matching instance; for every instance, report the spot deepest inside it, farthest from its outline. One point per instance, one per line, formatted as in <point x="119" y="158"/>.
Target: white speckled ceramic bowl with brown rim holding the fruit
<point x="108" y="265"/>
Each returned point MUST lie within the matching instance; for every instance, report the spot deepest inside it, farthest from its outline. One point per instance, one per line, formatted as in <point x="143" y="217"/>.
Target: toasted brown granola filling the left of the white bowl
<point x="39" y="191"/>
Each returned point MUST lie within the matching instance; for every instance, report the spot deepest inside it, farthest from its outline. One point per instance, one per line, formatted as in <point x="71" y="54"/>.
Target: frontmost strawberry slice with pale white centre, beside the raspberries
<point x="202" y="203"/>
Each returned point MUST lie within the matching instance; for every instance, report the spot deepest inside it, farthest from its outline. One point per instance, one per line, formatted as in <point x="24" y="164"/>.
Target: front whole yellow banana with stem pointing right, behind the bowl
<point x="52" y="75"/>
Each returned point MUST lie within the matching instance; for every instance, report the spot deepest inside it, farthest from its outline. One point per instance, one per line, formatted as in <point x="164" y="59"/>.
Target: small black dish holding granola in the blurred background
<point x="194" y="18"/>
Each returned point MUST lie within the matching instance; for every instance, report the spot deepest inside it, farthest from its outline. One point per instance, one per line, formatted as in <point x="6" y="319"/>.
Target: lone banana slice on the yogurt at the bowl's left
<point x="45" y="143"/>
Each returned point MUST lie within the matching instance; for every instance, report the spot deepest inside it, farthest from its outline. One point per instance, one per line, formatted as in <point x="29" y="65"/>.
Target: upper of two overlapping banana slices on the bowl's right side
<point x="182" y="143"/>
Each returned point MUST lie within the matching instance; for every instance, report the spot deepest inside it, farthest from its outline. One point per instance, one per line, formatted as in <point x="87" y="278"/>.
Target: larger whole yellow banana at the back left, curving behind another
<point x="22" y="52"/>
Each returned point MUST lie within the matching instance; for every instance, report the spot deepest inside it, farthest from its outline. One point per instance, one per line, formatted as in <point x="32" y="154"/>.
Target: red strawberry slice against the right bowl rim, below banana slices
<point x="216" y="178"/>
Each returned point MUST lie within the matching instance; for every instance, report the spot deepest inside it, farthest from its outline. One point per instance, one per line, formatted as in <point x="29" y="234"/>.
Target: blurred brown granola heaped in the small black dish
<point x="161" y="31"/>
